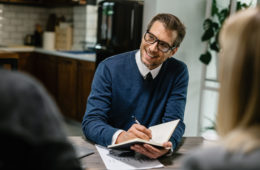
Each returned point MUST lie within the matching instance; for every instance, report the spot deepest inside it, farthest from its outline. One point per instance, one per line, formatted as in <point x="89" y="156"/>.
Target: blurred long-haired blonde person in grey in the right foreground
<point x="238" y="118"/>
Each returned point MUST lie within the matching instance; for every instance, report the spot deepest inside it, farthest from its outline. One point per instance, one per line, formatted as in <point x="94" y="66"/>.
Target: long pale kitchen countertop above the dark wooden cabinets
<point x="87" y="56"/>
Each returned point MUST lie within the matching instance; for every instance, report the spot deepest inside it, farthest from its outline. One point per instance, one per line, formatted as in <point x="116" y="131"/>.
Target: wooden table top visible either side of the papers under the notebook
<point x="94" y="161"/>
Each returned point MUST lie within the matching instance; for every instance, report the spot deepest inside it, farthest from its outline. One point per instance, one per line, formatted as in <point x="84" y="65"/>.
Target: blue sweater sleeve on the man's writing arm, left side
<point x="95" y="123"/>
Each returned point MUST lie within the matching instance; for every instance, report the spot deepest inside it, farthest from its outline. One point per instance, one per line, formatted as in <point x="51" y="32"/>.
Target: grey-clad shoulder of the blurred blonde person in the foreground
<point x="218" y="158"/>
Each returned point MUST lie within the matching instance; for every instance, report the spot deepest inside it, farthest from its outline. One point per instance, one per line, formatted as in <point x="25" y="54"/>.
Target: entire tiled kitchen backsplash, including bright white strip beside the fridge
<point x="18" y="21"/>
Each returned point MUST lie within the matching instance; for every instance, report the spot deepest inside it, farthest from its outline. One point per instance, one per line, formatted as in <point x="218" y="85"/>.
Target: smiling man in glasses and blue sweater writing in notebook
<point x="147" y="84"/>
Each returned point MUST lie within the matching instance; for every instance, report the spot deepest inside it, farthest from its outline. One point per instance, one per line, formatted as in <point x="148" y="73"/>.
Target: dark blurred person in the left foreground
<point x="31" y="128"/>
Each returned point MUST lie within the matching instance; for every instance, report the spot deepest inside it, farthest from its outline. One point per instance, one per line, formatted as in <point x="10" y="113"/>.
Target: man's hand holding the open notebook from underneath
<point x="151" y="151"/>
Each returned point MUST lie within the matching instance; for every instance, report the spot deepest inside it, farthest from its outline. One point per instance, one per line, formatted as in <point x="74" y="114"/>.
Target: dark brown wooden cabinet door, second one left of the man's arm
<point x="67" y="86"/>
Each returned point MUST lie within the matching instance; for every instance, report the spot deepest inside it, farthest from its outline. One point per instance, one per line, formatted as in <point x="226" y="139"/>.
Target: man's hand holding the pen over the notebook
<point x="136" y="131"/>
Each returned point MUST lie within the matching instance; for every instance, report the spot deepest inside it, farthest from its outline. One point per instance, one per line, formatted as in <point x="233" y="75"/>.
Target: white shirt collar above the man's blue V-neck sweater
<point x="143" y="69"/>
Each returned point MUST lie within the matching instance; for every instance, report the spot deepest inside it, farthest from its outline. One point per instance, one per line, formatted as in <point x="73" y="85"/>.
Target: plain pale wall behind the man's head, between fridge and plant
<point x="192" y="14"/>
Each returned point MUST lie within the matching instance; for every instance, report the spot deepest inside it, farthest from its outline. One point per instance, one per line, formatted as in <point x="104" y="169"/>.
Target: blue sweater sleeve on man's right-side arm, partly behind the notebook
<point x="175" y="105"/>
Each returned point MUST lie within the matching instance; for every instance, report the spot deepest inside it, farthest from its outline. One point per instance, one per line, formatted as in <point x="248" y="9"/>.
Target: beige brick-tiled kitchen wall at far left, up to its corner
<point x="17" y="21"/>
